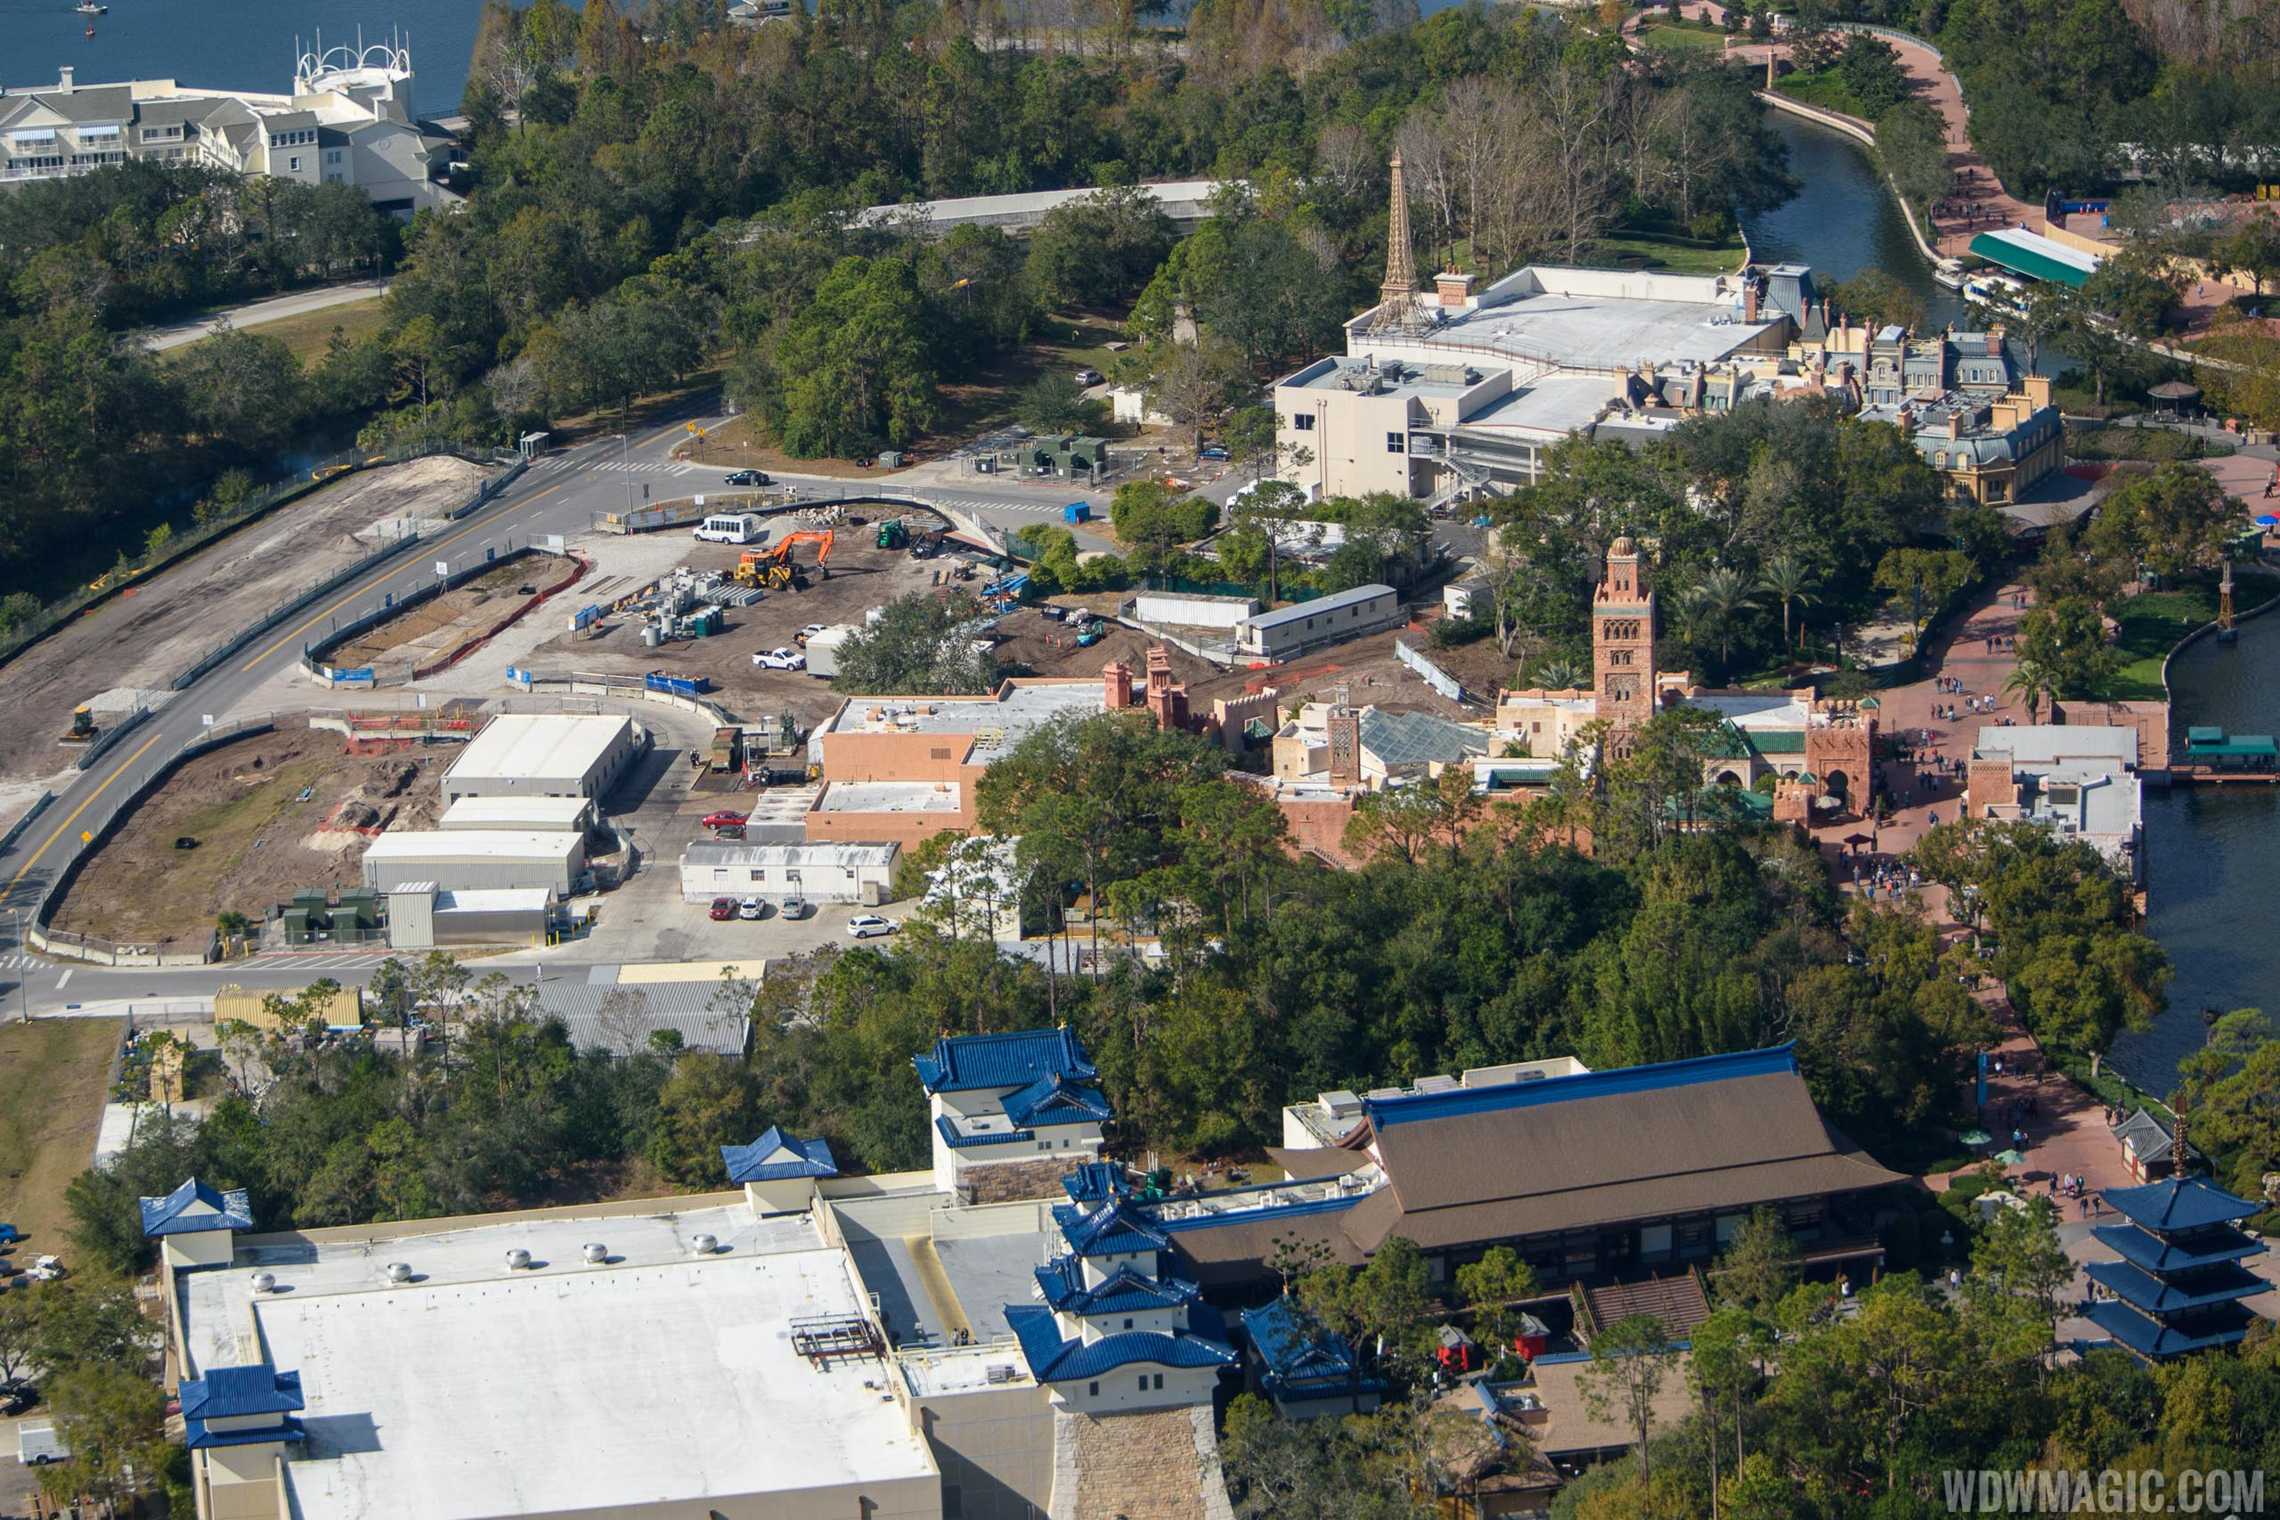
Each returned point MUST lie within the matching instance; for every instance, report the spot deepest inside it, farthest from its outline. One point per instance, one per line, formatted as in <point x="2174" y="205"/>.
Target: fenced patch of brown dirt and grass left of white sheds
<point x="259" y="840"/>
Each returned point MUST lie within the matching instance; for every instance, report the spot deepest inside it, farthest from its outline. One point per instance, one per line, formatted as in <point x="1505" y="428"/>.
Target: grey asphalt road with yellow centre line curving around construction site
<point x="562" y="493"/>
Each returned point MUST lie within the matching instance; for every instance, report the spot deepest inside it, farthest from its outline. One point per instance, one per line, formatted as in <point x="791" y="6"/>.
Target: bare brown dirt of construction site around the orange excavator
<point x="863" y="578"/>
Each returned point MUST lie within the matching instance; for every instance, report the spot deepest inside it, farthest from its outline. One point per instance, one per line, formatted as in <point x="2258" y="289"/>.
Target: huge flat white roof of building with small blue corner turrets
<point x="658" y="1380"/>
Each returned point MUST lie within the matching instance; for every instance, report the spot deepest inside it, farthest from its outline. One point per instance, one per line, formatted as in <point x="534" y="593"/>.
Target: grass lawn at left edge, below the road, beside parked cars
<point x="51" y="1106"/>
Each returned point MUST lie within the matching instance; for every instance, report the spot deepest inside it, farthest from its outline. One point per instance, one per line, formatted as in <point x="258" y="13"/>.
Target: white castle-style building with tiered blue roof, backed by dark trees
<point x="1011" y="1113"/>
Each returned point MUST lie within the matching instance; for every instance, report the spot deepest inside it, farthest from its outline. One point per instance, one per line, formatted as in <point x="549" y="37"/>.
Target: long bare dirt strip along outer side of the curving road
<point x="158" y="630"/>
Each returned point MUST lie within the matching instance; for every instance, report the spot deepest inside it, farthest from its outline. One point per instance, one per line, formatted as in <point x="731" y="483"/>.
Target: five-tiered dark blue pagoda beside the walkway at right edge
<point x="2181" y="1282"/>
